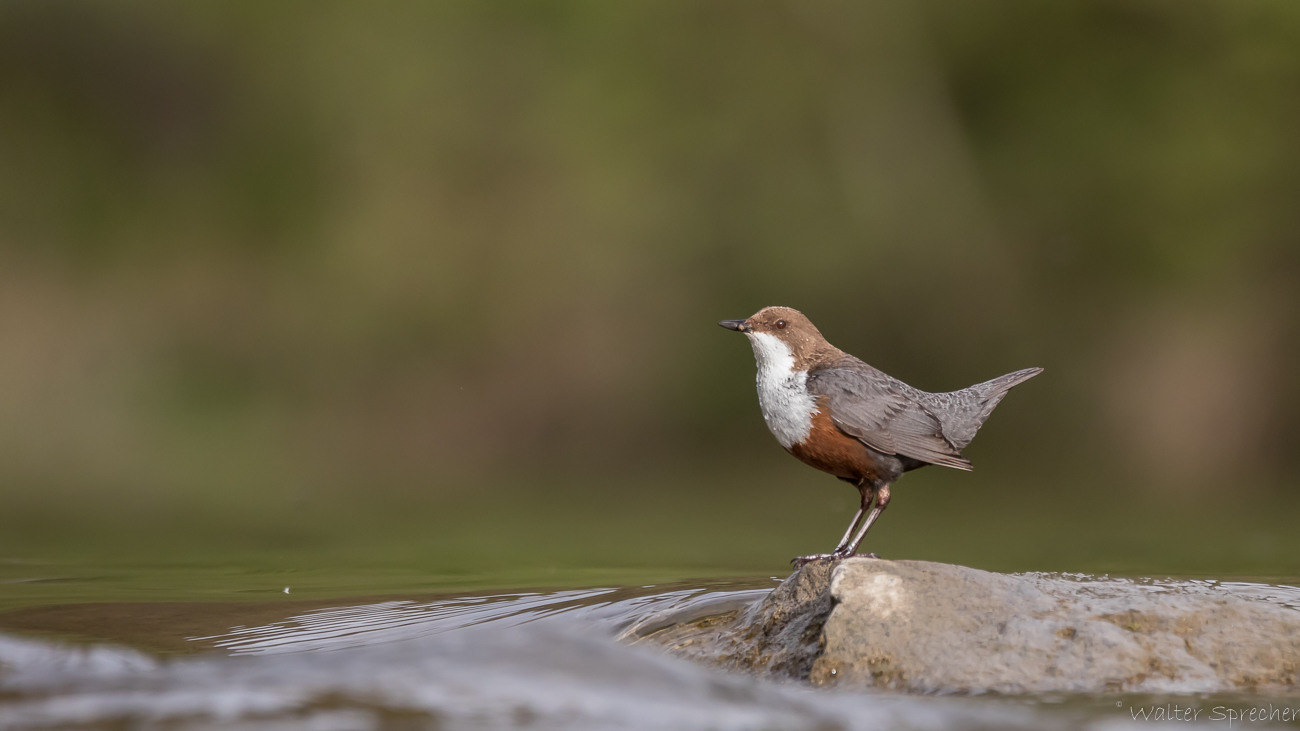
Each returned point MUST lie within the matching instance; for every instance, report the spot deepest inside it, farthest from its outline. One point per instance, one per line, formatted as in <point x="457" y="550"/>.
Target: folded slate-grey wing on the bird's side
<point x="879" y="412"/>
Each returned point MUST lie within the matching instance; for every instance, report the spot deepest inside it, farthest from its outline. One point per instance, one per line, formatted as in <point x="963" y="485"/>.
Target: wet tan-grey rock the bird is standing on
<point x="933" y="628"/>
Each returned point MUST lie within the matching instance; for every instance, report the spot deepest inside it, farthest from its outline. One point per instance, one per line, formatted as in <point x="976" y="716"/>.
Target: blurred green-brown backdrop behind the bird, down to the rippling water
<point x="423" y="295"/>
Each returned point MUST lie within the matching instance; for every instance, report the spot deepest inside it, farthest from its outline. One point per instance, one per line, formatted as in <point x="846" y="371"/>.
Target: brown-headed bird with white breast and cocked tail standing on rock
<point x="835" y="413"/>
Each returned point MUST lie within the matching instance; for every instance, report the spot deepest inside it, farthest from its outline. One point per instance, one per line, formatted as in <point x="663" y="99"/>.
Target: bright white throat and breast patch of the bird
<point x="788" y="408"/>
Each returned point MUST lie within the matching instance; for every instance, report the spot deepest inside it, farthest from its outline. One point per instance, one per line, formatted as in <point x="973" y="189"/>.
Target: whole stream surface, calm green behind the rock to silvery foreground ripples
<point x="257" y="615"/>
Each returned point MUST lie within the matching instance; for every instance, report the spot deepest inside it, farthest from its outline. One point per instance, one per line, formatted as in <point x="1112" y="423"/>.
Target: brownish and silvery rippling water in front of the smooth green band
<point x="488" y="660"/>
